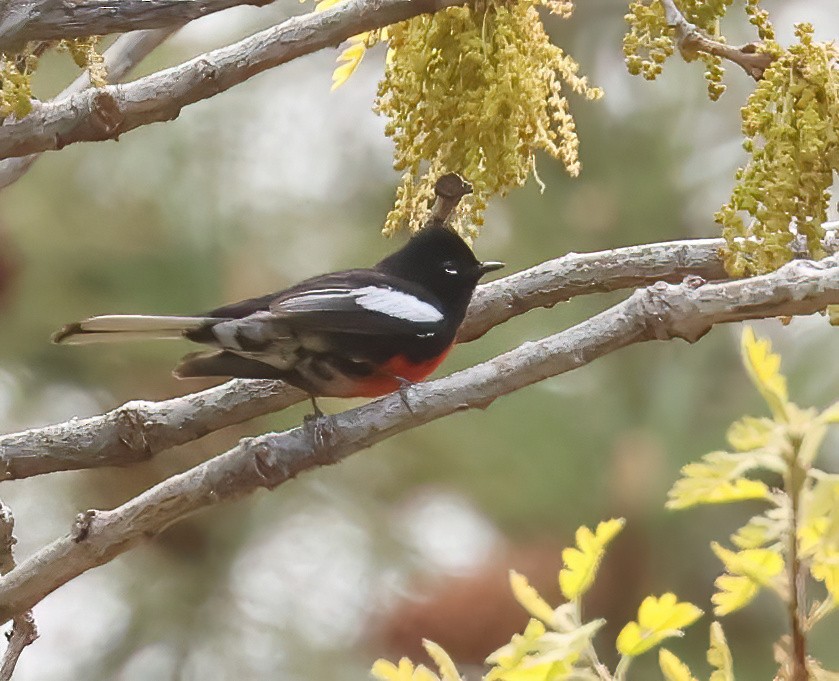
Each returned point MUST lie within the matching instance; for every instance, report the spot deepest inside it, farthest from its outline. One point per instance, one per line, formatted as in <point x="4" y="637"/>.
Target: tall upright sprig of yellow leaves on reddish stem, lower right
<point x="798" y="533"/>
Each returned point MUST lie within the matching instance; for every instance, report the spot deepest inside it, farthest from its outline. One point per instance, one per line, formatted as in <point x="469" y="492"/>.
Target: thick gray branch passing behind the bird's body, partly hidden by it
<point x="138" y="430"/>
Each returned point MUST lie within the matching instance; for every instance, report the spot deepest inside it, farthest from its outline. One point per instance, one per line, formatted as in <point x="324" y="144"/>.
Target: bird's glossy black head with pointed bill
<point x="440" y="261"/>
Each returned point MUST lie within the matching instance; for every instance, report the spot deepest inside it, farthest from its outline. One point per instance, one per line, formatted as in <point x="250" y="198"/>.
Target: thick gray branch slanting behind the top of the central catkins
<point x="106" y="113"/>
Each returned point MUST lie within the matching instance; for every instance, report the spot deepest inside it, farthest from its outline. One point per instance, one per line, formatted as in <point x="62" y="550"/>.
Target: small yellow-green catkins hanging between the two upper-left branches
<point x="16" y="71"/>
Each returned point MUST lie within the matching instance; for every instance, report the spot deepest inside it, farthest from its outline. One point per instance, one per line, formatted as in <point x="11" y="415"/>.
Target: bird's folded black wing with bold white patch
<point x="361" y="302"/>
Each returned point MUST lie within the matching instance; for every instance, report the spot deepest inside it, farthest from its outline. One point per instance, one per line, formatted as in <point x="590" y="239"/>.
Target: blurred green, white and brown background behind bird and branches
<point x="279" y="179"/>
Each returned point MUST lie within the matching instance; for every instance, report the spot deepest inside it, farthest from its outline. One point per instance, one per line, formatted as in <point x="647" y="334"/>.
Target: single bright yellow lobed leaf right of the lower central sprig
<point x="658" y="618"/>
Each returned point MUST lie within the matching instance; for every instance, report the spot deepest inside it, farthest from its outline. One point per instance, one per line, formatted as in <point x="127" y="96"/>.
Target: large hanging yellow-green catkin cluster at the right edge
<point x="791" y="124"/>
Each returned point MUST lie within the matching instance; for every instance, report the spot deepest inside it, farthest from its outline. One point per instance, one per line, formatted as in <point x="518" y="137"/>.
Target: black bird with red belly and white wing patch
<point x="356" y="333"/>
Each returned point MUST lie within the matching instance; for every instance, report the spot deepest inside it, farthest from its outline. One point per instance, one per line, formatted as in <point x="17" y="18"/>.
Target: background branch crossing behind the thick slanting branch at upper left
<point x="120" y="58"/>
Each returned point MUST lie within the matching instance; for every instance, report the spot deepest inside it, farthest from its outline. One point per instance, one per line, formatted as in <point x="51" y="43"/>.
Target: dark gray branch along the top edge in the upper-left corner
<point x="25" y="20"/>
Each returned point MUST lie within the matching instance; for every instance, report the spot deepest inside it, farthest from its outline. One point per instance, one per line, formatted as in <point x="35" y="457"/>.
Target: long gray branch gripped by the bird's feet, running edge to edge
<point x="659" y="312"/>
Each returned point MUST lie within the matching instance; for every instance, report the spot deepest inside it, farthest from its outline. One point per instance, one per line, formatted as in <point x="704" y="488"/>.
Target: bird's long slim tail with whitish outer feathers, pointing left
<point x="122" y="327"/>
